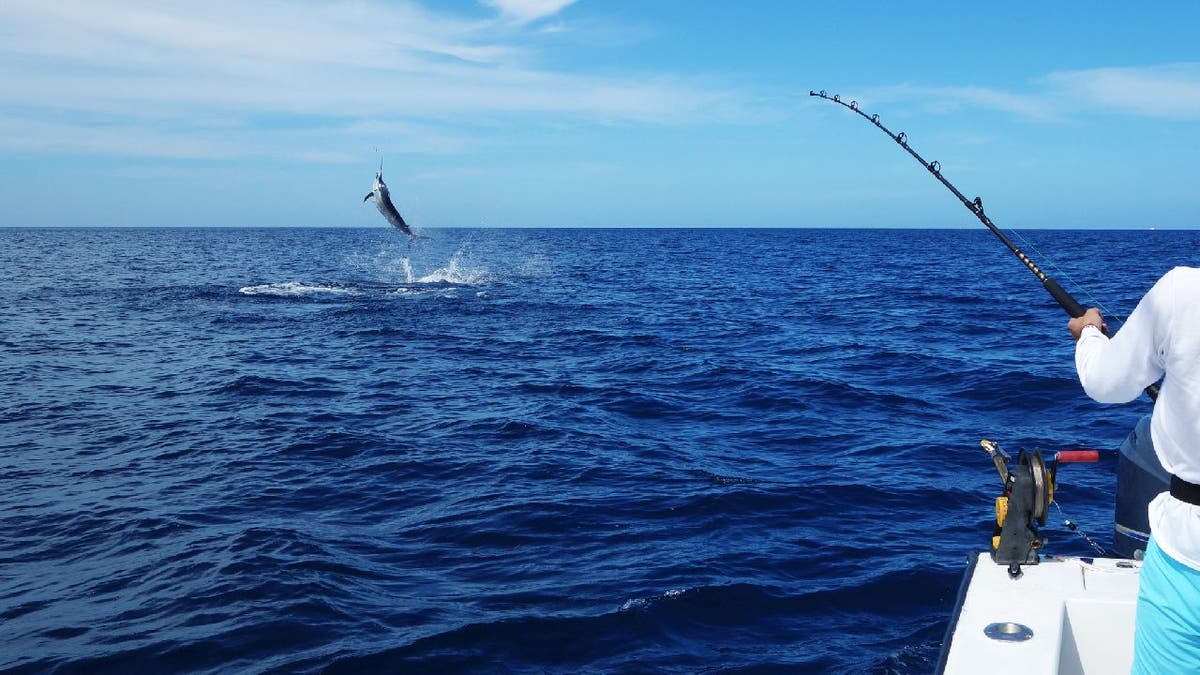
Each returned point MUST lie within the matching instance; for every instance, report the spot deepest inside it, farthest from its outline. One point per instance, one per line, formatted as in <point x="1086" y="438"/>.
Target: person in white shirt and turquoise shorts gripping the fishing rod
<point x="1161" y="339"/>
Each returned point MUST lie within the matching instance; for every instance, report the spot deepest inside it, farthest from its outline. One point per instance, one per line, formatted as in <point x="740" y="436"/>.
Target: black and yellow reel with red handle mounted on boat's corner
<point x="1029" y="491"/>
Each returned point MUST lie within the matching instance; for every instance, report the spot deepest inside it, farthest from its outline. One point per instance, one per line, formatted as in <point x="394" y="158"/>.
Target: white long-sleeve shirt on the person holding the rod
<point x="1162" y="338"/>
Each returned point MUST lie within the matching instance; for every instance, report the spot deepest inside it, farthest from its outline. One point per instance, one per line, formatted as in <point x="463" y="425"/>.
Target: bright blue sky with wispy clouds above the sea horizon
<point x="590" y="114"/>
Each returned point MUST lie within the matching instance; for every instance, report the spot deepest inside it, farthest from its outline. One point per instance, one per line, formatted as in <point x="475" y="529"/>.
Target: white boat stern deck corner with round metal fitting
<point x="1081" y="613"/>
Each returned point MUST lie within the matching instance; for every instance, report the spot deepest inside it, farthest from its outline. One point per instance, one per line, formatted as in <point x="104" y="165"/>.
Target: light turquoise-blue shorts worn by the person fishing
<point x="1167" y="638"/>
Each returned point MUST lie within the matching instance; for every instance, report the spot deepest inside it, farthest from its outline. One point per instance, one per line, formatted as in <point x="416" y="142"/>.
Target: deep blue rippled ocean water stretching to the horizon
<point x="527" y="451"/>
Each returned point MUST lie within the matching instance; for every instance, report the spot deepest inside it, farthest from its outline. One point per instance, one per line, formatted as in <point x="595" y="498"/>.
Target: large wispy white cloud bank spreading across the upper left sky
<point x="166" y="68"/>
